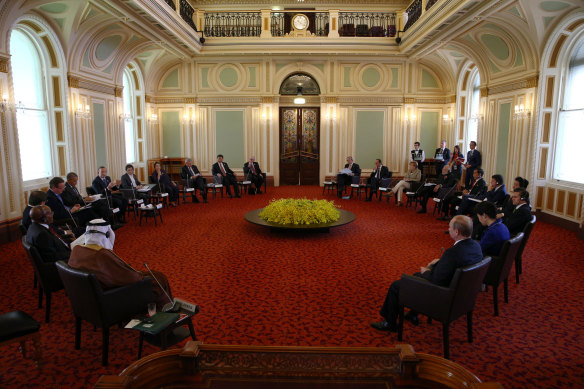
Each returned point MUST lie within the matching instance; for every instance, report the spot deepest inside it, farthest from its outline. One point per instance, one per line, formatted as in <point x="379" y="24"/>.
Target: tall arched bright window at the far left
<point x="29" y="78"/>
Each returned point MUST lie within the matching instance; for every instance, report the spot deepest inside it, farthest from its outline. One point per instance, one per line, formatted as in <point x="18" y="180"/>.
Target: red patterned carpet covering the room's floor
<point x="323" y="289"/>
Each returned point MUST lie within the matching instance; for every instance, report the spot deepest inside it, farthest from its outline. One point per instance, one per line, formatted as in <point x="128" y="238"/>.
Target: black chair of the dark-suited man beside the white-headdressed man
<point x="46" y="275"/>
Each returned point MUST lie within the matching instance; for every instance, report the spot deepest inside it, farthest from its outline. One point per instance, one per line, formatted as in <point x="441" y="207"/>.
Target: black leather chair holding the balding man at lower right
<point x="445" y="304"/>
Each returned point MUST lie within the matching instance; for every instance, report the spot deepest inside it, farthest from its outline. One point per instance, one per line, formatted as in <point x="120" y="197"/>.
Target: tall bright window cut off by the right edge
<point x="571" y="116"/>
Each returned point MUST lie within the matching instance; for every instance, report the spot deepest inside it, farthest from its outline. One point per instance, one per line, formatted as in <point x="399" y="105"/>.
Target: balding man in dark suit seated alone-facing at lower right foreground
<point x="464" y="252"/>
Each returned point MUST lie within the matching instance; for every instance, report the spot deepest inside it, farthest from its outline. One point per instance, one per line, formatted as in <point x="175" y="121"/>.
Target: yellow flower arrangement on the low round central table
<point x="300" y="211"/>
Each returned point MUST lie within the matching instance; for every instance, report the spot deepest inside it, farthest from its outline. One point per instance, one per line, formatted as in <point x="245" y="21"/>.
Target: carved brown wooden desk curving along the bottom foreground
<point x="200" y="365"/>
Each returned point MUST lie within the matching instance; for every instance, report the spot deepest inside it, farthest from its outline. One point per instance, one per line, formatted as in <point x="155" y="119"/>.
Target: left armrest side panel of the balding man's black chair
<point x="423" y="296"/>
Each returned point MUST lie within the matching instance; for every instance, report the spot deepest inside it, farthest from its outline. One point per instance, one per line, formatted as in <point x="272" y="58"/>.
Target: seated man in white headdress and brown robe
<point x="93" y="254"/>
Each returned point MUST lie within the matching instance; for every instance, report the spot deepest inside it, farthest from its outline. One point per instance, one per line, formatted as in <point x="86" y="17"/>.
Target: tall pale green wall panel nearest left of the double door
<point x="229" y="137"/>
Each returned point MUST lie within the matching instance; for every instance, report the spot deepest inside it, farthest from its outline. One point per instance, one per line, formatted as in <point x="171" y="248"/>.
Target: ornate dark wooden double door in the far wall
<point x="299" y="145"/>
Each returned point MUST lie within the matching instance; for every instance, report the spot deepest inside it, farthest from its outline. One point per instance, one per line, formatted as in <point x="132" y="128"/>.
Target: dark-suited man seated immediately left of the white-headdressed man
<point x="47" y="240"/>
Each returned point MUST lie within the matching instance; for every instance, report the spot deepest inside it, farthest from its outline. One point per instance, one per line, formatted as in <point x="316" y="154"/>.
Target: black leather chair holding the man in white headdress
<point x="102" y="308"/>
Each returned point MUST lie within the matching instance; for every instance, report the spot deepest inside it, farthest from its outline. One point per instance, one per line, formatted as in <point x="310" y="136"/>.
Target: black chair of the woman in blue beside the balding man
<point x="501" y="267"/>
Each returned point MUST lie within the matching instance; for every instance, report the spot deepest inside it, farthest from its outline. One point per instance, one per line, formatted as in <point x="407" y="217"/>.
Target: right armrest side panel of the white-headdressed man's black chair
<point x="122" y="303"/>
